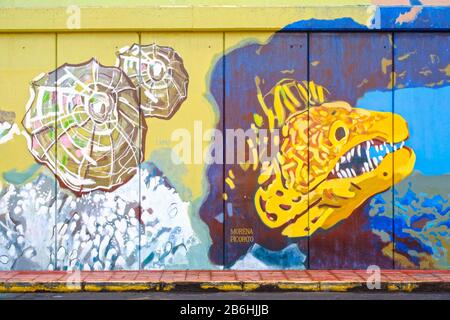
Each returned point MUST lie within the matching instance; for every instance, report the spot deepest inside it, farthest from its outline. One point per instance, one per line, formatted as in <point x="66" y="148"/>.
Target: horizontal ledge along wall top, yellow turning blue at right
<point x="224" y="18"/>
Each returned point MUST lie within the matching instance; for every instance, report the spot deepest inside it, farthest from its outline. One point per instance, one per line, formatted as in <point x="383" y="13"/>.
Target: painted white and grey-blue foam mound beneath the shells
<point x="98" y="231"/>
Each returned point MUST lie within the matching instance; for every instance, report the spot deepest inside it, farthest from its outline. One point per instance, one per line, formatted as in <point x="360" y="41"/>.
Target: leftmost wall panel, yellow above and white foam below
<point x="27" y="202"/>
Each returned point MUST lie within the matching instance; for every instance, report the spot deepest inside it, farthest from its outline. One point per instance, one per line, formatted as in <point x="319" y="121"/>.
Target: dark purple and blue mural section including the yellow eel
<point x="350" y="179"/>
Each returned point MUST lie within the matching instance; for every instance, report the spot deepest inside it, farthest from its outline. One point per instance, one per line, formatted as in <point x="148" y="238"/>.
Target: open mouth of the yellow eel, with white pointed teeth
<point x="363" y="158"/>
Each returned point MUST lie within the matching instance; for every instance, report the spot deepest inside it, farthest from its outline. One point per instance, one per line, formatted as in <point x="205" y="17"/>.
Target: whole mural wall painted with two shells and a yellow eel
<point x="323" y="145"/>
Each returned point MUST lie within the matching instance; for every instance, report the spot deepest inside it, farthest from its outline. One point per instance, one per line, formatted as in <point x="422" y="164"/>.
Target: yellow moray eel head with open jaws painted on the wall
<point x="350" y="158"/>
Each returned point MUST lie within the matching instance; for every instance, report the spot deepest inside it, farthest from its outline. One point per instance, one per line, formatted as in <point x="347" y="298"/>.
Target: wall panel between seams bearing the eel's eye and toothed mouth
<point x="349" y="65"/>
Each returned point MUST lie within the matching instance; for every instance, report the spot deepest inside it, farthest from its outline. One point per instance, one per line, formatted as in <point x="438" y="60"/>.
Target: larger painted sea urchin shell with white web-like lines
<point x="83" y="123"/>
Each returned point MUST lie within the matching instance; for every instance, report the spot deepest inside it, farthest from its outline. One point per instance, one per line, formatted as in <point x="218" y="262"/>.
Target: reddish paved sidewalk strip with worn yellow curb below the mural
<point x="196" y="280"/>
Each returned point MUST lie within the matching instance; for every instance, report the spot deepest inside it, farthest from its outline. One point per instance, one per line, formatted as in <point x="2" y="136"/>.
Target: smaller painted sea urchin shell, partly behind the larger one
<point x="162" y="78"/>
